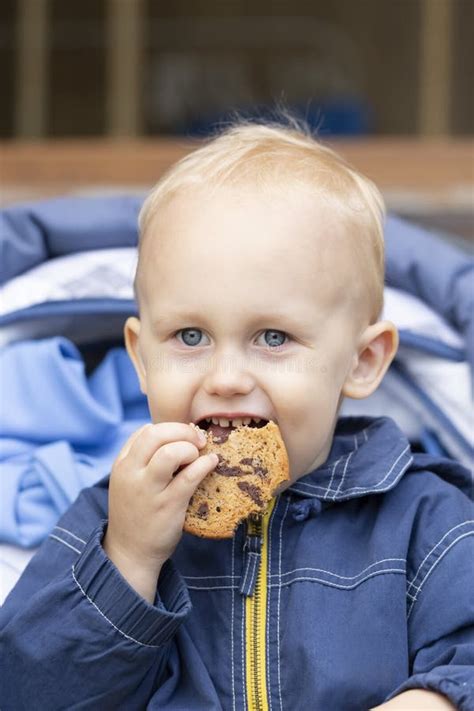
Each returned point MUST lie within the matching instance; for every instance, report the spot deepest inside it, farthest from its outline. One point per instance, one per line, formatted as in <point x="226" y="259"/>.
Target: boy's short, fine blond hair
<point x="269" y="156"/>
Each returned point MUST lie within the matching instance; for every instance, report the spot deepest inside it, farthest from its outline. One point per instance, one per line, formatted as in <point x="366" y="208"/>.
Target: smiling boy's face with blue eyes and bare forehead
<point x="248" y="304"/>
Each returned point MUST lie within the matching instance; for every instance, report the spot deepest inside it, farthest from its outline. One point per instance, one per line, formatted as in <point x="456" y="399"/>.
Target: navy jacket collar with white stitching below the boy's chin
<point x="368" y="456"/>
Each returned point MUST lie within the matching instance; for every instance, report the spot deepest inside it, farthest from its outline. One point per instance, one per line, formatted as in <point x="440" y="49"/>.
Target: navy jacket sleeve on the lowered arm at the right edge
<point x="441" y="619"/>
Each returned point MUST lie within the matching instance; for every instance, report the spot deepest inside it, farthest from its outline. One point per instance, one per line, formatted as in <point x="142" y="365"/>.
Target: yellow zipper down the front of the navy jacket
<point x="256" y="620"/>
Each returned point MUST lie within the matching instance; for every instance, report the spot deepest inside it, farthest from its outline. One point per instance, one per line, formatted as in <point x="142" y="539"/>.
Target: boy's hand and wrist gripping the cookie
<point x="148" y="499"/>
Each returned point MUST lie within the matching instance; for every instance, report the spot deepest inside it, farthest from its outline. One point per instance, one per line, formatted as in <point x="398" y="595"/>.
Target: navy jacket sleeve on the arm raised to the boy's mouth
<point x="74" y="634"/>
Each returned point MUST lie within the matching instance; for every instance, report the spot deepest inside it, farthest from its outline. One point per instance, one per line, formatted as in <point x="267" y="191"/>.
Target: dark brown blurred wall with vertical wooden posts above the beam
<point x="94" y="67"/>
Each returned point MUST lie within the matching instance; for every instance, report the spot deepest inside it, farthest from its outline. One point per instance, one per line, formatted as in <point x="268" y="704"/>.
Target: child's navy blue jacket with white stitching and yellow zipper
<point x="357" y="584"/>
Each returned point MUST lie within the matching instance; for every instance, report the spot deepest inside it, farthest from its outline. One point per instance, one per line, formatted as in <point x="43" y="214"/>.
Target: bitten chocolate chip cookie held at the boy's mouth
<point x="253" y="462"/>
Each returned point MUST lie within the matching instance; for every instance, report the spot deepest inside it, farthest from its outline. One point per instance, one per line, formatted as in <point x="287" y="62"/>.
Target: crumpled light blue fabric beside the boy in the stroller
<point x="69" y="436"/>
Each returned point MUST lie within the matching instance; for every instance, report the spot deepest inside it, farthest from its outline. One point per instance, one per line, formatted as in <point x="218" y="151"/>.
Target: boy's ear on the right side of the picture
<point x="377" y="348"/>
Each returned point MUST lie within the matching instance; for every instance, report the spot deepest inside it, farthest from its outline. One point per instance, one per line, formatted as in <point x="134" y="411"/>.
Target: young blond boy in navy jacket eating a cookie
<point x="340" y="599"/>
